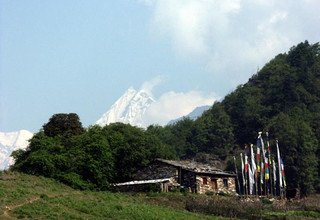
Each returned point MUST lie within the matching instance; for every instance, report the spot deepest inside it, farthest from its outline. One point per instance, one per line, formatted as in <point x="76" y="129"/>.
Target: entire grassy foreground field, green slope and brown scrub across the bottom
<point x="30" y="197"/>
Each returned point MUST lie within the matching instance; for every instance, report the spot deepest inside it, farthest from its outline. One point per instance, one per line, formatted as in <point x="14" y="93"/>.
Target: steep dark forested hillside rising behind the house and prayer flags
<point x="282" y="98"/>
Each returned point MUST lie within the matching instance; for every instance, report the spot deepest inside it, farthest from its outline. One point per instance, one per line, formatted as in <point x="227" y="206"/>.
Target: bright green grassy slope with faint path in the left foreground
<point x="30" y="197"/>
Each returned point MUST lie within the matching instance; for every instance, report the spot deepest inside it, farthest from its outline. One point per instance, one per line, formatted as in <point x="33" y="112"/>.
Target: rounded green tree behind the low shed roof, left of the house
<point x="133" y="149"/>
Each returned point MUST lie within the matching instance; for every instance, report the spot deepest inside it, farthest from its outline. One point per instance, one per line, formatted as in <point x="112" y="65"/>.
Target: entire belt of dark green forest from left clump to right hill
<point x="282" y="98"/>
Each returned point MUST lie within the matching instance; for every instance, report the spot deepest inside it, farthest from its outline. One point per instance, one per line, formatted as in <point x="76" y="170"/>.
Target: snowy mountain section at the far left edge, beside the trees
<point x="10" y="141"/>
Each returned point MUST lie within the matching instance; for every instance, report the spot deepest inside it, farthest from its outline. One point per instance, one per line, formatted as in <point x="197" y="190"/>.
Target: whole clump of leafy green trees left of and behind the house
<point x="92" y="158"/>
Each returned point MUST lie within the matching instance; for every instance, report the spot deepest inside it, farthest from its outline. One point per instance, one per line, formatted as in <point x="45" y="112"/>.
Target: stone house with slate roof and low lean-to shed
<point x="166" y="175"/>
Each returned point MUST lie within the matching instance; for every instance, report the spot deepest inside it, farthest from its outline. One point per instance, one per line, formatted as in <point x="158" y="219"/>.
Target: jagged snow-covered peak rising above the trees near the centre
<point x="129" y="108"/>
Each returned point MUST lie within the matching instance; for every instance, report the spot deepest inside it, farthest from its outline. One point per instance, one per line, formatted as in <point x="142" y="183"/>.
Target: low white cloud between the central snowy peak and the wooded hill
<point x="172" y="105"/>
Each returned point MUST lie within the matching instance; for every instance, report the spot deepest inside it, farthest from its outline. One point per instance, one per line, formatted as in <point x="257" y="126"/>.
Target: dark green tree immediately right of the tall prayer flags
<point x="298" y="146"/>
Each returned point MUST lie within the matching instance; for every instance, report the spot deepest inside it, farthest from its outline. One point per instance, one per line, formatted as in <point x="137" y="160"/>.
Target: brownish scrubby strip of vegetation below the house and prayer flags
<point x="255" y="208"/>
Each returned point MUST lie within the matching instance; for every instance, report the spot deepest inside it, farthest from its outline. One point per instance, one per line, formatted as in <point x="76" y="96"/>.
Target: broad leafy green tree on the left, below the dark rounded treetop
<point x="83" y="161"/>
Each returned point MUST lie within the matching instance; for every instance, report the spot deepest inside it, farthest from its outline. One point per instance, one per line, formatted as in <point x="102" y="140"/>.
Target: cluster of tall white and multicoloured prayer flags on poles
<point x="262" y="173"/>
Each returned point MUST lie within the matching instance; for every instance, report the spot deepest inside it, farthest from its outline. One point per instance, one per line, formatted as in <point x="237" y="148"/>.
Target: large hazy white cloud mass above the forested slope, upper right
<point x="234" y="37"/>
